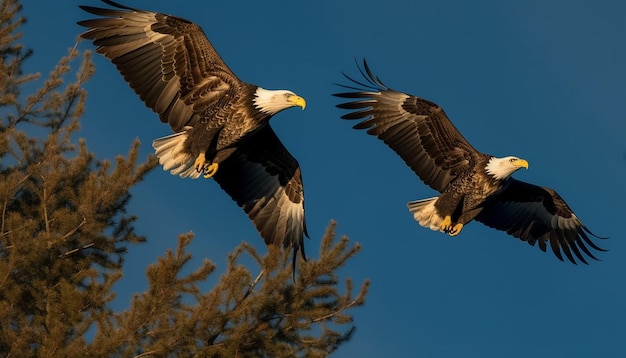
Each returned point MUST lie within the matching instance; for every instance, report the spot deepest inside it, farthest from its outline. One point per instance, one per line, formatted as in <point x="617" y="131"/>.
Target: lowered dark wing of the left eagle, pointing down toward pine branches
<point x="265" y="180"/>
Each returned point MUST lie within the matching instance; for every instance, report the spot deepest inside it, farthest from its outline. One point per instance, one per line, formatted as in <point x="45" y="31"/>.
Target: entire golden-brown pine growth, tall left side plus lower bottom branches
<point x="64" y="232"/>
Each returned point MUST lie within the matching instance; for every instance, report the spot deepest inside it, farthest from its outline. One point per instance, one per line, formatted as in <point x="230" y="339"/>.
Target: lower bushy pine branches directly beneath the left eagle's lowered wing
<point x="243" y="315"/>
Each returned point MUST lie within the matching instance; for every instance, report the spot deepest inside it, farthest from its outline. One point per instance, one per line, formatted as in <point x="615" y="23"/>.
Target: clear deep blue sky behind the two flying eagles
<point x="542" y="80"/>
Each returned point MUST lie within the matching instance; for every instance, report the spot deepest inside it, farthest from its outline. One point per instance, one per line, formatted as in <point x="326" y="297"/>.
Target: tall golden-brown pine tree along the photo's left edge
<point x="63" y="226"/>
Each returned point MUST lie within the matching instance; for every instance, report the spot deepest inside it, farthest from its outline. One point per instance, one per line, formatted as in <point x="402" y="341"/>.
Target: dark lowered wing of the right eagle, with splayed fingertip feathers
<point x="539" y="215"/>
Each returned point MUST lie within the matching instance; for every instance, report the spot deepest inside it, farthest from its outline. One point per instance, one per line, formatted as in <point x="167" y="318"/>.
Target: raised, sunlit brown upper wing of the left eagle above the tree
<point x="168" y="61"/>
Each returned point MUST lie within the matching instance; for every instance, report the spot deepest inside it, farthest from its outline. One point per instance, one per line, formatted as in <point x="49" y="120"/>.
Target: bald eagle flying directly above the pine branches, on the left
<point x="220" y="123"/>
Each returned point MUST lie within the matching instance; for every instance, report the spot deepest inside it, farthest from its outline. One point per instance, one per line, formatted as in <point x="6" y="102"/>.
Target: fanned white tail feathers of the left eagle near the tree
<point x="171" y="154"/>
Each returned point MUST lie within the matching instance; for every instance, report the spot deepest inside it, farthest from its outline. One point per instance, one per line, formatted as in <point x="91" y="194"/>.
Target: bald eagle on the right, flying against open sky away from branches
<point x="472" y="185"/>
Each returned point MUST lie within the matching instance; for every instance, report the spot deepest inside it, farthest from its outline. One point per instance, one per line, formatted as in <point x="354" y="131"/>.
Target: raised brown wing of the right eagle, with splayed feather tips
<point x="415" y="128"/>
